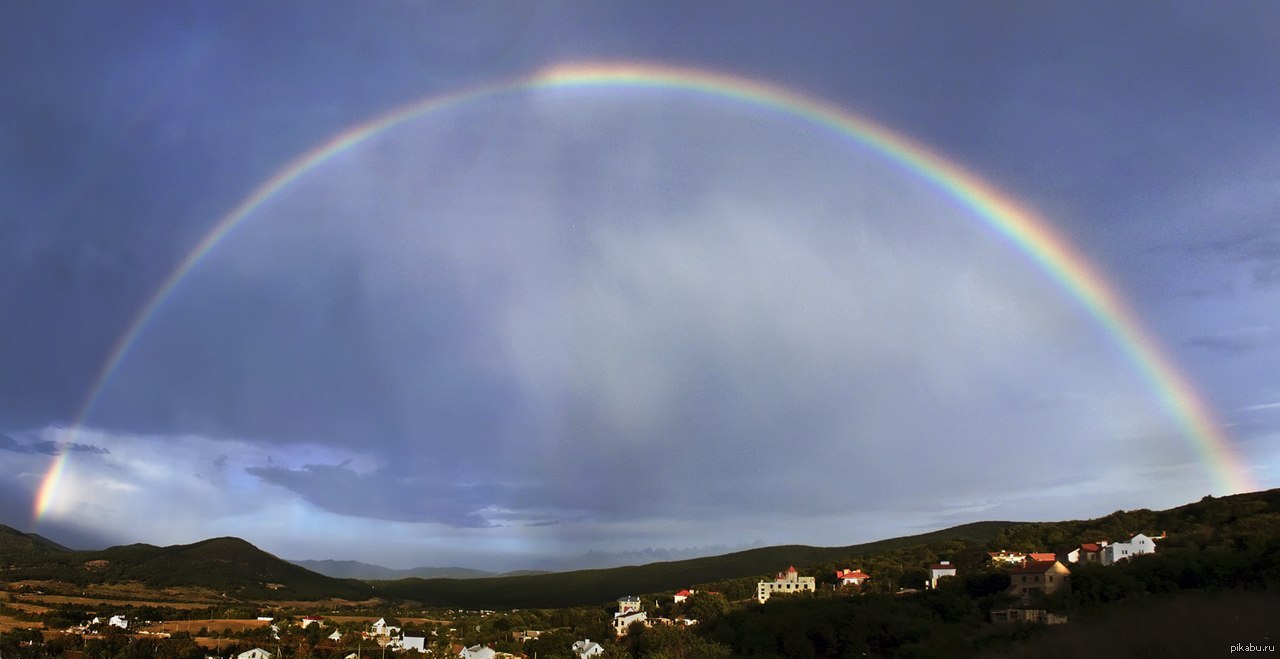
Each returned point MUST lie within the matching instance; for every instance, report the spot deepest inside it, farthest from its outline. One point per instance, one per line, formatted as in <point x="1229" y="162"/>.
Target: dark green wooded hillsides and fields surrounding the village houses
<point x="1214" y="583"/>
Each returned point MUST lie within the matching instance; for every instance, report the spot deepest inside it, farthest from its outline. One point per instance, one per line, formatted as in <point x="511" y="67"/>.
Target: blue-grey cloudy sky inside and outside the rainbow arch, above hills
<point x="560" y="328"/>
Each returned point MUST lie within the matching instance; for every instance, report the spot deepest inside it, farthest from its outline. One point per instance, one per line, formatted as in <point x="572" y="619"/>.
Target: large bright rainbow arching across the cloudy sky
<point x="1003" y="216"/>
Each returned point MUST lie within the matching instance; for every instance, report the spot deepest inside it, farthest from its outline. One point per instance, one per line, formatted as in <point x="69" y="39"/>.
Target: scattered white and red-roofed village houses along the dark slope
<point x="1032" y="576"/>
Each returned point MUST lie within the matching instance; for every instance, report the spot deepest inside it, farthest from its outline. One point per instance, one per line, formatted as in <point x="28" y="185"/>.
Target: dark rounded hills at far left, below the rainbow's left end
<point x="227" y="565"/>
